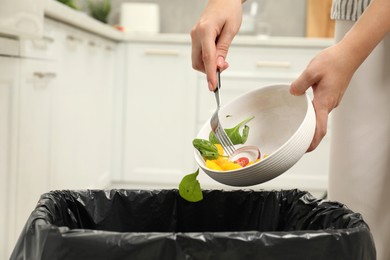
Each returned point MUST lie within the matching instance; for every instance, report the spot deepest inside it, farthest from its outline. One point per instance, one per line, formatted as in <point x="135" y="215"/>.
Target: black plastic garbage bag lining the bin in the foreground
<point x="139" y="224"/>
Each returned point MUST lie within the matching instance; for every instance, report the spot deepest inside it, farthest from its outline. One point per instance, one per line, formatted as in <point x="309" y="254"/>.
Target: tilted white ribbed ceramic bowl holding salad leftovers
<point x="283" y="129"/>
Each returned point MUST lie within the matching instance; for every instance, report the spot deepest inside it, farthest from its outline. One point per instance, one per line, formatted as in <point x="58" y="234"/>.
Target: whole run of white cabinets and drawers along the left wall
<point x="56" y="99"/>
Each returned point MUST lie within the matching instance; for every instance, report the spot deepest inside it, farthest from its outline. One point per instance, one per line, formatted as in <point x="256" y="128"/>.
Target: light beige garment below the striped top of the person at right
<point x="360" y="144"/>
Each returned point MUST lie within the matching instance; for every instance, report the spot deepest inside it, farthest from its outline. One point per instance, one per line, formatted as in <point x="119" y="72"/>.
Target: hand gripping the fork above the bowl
<point x="212" y="36"/>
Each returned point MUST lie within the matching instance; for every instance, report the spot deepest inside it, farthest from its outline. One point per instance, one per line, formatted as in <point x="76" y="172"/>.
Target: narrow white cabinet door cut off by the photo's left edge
<point x="8" y="83"/>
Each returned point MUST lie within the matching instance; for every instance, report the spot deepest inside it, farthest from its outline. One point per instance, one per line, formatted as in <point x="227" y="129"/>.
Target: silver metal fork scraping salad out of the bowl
<point x="216" y="126"/>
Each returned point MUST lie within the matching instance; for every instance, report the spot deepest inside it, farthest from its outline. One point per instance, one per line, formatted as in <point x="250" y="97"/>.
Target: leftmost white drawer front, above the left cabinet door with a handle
<point x="44" y="47"/>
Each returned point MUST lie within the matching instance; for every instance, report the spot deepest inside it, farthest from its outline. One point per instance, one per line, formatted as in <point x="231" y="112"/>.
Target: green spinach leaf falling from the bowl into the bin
<point x="189" y="188"/>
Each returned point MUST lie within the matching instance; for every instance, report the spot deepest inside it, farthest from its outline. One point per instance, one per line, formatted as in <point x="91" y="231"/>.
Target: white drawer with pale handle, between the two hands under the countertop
<point x="269" y="60"/>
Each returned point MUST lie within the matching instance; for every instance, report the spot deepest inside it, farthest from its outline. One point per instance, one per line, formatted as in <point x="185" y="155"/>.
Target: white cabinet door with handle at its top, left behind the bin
<point x="32" y="175"/>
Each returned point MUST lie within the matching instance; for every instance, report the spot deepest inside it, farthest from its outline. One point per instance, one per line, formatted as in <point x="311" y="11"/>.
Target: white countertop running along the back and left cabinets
<point x="60" y="12"/>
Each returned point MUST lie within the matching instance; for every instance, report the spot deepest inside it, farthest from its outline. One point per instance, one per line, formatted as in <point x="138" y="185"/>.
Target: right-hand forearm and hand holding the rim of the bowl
<point x="330" y="72"/>
